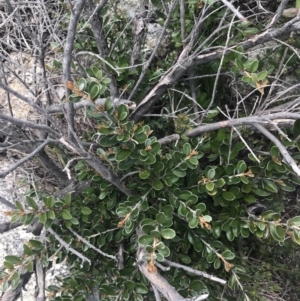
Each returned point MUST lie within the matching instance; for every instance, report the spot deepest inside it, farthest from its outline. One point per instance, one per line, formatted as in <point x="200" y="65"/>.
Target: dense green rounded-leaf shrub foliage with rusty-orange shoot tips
<point x="176" y="205"/>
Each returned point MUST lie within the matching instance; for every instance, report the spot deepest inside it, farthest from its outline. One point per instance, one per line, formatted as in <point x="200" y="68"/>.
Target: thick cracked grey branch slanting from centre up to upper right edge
<point x="178" y="70"/>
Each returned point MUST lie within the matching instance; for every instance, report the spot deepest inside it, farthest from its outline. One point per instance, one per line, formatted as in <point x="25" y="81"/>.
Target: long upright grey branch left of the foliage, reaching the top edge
<point x="67" y="66"/>
